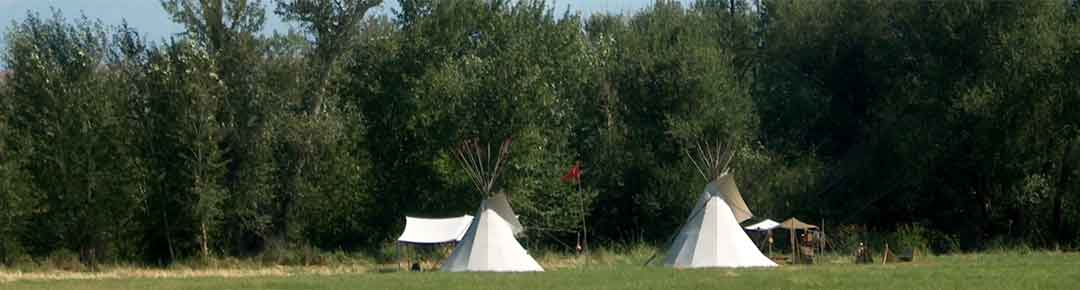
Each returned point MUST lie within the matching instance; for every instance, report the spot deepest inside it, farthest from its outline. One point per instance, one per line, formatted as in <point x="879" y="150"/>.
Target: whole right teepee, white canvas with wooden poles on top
<point x="712" y="237"/>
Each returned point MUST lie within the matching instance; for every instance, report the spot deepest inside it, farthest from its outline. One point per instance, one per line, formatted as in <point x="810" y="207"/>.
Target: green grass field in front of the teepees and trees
<point x="1001" y="271"/>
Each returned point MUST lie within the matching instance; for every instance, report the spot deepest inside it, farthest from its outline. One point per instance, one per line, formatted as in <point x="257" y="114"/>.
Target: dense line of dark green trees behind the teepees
<point x="956" y="117"/>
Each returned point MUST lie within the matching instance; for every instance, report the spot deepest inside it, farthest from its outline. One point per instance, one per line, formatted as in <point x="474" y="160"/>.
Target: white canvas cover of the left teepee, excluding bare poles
<point x="490" y="244"/>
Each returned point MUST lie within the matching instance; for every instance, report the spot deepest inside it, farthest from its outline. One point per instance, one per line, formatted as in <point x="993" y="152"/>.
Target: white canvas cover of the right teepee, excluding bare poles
<point x="712" y="238"/>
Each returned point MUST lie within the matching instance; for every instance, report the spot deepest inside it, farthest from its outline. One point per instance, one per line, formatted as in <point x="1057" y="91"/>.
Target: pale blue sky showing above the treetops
<point x="148" y="18"/>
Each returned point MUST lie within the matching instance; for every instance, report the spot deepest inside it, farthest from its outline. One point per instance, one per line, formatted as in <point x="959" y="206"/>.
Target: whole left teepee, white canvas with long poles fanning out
<point x="490" y="244"/>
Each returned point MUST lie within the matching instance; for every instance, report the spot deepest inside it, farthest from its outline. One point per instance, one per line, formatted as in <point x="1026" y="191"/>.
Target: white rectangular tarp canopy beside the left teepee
<point x="435" y="231"/>
